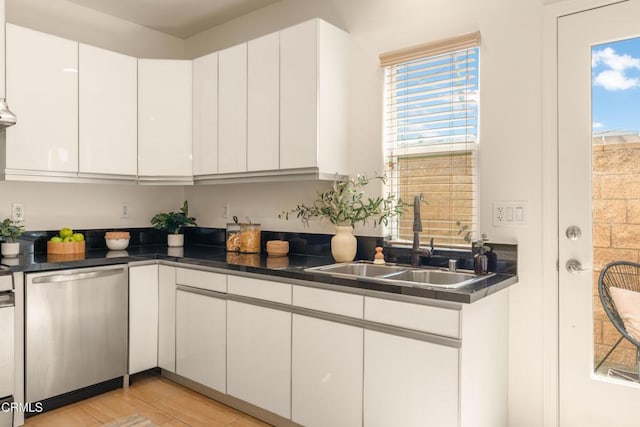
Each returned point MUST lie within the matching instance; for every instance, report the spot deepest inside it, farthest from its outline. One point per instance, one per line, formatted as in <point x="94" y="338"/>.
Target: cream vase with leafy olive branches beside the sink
<point x="345" y="205"/>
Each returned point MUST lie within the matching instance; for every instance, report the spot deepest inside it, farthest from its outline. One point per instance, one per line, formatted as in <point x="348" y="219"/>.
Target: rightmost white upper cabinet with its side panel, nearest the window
<point x="313" y="91"/>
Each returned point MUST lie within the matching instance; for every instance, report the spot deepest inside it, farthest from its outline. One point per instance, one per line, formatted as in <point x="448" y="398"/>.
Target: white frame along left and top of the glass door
<point x="550" y="236"/>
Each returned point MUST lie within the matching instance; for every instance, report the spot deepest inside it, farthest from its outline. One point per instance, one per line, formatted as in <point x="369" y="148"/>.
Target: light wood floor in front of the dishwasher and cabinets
<point x="162" y="401"/>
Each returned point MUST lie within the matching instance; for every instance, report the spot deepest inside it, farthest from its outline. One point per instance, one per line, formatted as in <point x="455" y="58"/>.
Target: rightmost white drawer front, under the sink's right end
<point x="433" y="320"/>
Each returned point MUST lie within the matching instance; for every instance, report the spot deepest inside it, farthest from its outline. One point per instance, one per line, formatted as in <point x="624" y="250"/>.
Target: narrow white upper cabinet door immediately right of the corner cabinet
<point x="205" y="114"/>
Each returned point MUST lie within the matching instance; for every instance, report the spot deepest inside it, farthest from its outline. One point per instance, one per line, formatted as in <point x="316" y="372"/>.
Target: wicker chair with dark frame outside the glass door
<point x="625" y="275"/>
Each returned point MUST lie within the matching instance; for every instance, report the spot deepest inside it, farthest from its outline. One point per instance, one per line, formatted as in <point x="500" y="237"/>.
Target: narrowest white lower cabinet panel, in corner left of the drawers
<point x="167" y="317"/>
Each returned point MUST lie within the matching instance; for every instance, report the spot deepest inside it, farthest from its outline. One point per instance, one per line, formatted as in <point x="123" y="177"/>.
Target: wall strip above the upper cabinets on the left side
<point x="69" y="20"/>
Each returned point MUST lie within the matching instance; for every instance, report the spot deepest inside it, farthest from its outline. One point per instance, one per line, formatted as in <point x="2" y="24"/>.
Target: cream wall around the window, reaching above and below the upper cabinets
<point x="510" y="156"/>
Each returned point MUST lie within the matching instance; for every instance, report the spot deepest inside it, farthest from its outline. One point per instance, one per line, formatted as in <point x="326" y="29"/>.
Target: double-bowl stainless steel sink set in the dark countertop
<point x="400" y="275"/>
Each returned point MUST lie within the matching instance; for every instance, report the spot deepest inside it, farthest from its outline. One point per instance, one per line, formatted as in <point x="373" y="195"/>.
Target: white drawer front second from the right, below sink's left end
<point x="328" y="301"/>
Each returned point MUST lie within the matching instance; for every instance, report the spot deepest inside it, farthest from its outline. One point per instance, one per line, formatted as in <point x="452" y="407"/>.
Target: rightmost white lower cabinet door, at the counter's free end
<point x="409" y="382"/>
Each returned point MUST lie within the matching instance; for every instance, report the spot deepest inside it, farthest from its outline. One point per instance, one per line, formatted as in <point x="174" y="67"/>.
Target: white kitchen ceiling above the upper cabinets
<point x="180" y="18"/>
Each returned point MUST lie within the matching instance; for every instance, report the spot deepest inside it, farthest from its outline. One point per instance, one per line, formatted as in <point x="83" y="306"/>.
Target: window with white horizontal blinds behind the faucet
<point x="431" y="136"/>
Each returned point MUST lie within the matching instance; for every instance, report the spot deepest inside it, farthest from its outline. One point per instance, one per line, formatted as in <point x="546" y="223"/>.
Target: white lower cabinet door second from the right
<point x="326" y="373"/>
